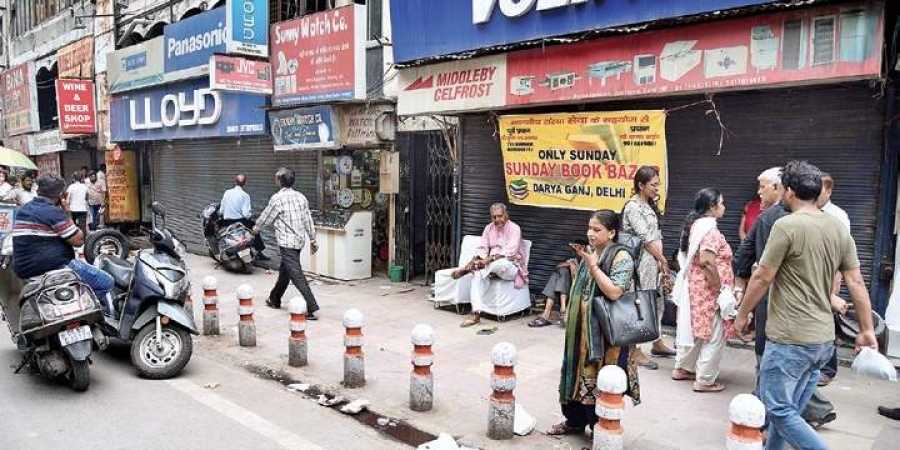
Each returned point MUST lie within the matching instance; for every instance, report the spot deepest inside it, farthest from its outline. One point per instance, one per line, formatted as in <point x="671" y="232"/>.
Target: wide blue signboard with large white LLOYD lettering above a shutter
<point x="185" y="110"/>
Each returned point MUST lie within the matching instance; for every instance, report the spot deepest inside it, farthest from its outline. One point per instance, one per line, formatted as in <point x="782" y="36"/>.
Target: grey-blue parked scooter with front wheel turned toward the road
<point x="147" y="309"/>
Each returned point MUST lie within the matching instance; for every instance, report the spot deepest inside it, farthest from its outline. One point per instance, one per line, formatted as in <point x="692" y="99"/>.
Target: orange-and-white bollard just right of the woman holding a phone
<point x="608" y="433"/>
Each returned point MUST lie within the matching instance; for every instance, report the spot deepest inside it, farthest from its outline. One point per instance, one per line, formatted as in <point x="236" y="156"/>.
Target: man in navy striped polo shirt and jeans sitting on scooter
<point x="44" y="237"/>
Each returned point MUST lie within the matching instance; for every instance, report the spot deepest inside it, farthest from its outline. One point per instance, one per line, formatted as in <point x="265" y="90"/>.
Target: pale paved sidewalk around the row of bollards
<point x="670" y="417"/>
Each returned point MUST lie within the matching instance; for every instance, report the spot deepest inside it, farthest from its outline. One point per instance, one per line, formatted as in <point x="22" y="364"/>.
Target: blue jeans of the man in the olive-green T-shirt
<point x="787" y="379"/>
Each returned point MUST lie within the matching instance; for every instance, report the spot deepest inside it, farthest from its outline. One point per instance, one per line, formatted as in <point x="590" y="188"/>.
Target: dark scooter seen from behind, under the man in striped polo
<point x="53" y="319"/>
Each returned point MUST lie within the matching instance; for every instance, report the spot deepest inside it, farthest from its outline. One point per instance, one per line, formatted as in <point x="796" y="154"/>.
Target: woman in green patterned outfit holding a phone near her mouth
<point x="586" y="350"/>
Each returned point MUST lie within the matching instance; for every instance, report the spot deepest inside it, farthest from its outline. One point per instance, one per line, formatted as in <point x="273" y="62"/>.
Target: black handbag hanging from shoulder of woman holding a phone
<point x="632" y="318"/>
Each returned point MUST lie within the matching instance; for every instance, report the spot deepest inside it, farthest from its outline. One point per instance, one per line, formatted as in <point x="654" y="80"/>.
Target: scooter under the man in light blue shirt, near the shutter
<point x="230" y="246"/>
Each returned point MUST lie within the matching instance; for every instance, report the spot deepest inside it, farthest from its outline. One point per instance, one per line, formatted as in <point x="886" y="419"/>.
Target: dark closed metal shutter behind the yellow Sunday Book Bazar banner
<point x="837" y="127"/>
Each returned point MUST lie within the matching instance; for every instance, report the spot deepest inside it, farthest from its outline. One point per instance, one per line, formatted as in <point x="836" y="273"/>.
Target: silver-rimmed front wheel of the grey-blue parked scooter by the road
<point x="159" y="359"/>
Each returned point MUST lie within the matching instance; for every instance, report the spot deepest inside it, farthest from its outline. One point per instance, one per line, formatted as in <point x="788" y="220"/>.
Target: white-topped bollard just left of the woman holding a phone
<point x="502" y="409"/>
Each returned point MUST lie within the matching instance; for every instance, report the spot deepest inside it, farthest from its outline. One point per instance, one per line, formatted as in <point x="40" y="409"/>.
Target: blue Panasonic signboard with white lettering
<point x="190" y="42"/>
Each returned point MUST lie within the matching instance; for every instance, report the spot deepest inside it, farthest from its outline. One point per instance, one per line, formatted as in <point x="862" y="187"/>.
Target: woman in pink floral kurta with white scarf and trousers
<point x="706" y="280"/>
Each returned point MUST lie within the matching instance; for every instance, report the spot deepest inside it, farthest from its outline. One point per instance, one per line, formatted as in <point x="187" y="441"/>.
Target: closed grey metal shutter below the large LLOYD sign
<point x="188" y="175"/>
